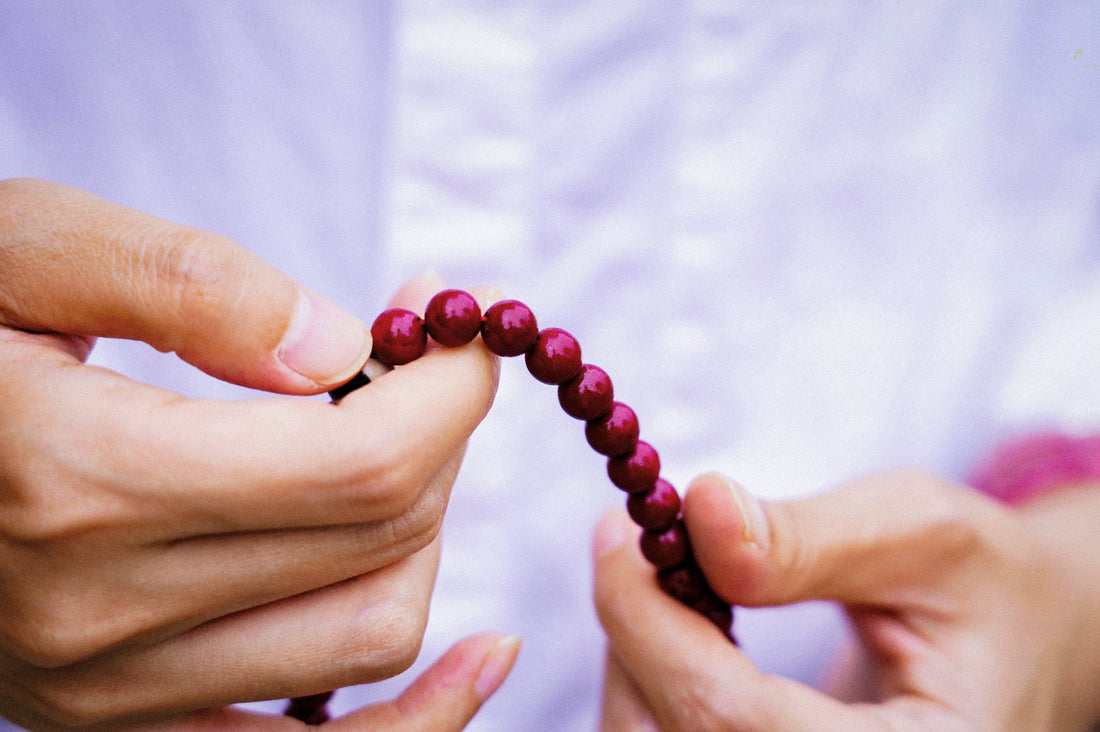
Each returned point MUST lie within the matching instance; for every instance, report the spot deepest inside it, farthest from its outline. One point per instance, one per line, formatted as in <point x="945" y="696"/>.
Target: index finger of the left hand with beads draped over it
<point x="208" y="466"/>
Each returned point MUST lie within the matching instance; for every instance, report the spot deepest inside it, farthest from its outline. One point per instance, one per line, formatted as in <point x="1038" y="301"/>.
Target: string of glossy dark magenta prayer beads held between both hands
<point x="509" y="329"/>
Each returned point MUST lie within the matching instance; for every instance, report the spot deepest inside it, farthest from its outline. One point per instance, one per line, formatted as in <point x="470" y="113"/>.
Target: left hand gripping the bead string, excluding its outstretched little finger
<point x="161" y="555"/>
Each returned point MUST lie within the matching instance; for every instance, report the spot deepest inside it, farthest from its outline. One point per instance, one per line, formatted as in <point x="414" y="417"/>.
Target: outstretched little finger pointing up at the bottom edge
<point x="447" y="696"/>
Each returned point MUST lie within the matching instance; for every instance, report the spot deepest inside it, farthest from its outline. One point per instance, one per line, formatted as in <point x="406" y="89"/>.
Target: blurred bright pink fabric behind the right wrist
<point x="1028" y="467"/>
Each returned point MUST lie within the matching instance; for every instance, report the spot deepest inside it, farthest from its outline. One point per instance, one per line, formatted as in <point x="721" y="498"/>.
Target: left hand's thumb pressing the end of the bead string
<point x="78" y="265"/>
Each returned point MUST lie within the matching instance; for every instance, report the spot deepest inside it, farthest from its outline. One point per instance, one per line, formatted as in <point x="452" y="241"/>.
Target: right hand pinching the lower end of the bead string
<point x="970" y="616"/>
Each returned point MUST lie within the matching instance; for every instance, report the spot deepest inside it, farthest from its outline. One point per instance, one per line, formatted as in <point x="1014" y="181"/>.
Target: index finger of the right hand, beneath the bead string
<point x="684" y="668"/>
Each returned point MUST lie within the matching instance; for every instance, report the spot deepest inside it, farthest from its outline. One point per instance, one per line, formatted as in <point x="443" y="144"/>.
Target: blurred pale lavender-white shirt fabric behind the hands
<point x="808" y="241"/>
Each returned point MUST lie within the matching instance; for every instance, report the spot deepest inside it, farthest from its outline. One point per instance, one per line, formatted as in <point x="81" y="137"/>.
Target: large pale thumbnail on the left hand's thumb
<point x="324" y="344"/>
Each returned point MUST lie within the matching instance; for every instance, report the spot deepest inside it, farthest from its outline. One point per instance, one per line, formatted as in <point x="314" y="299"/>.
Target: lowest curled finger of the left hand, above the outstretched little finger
<point x="356" y="632"/>
